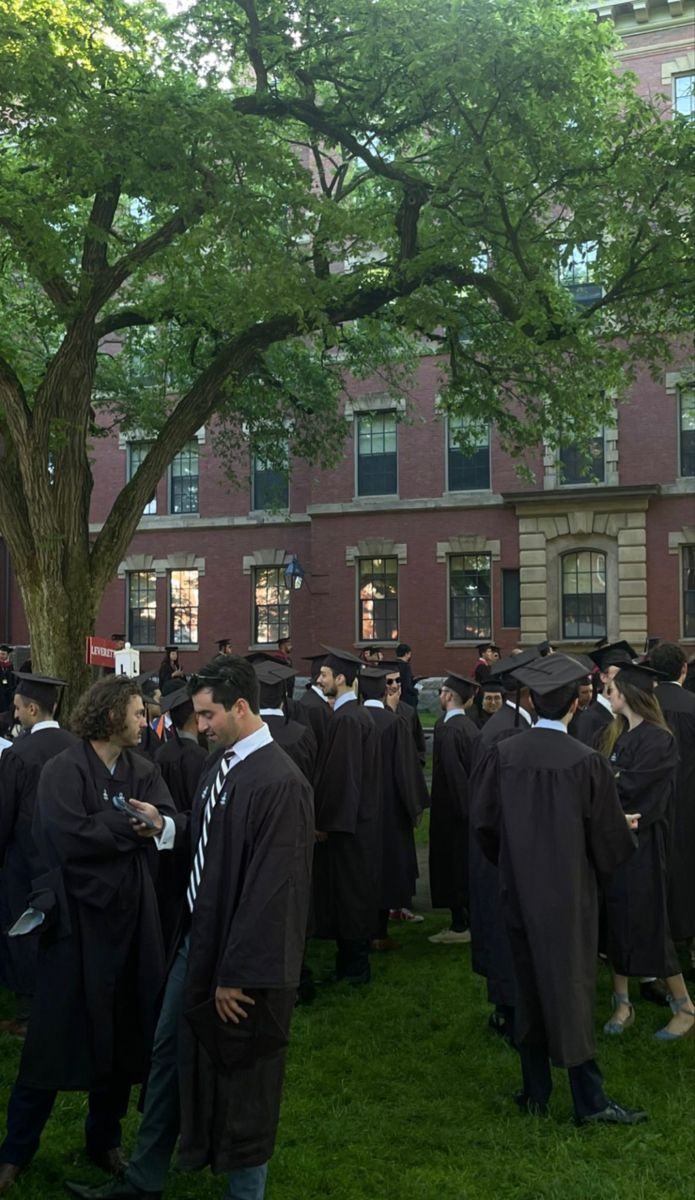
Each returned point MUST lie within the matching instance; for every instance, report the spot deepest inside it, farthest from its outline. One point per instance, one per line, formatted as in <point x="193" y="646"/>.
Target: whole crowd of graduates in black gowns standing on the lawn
<point x="175" y="850"/>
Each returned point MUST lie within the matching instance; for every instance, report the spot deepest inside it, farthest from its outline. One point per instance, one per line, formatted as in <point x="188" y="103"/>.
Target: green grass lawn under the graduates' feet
<point x="398" y="1091"/>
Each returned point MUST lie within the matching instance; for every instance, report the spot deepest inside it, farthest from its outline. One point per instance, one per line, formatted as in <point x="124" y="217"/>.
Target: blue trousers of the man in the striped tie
<point x="160" y="1126"/>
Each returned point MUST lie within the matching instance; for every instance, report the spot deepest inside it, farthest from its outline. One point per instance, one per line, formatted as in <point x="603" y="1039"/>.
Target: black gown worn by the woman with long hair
<point x="645" y="761"/>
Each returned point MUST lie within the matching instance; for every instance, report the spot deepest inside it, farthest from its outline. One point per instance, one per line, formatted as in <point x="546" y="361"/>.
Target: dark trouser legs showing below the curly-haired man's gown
<point x="29" y="1109"/>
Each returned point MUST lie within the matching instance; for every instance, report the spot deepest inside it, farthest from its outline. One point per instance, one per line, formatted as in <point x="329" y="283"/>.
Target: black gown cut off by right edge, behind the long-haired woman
<point x="679" y="709"/>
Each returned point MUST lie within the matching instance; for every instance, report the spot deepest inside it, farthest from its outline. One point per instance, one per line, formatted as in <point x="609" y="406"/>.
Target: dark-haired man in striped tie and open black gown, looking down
<point x="217" y="1077"/>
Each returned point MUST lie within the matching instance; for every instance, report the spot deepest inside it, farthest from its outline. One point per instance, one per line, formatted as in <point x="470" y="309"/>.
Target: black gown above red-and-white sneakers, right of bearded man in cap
<point x="405" y="797"/>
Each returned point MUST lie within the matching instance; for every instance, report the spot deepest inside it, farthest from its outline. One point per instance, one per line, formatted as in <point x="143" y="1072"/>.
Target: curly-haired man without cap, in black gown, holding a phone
<point x="101" y="959"/>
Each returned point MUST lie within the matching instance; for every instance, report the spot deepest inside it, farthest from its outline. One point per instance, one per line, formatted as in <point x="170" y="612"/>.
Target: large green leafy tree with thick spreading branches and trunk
<point x="220" y="212"/>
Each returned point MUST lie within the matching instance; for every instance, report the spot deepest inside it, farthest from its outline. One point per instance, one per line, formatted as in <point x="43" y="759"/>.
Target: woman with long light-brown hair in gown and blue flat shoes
<point x="644" y="755"/>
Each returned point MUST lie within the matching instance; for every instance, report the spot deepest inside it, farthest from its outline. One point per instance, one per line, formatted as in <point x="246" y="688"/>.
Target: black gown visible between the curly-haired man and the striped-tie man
<point x="182" y="763"/>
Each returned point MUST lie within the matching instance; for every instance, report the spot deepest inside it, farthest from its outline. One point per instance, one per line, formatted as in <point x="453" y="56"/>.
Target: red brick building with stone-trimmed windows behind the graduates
<point x="409" y="539"/>
